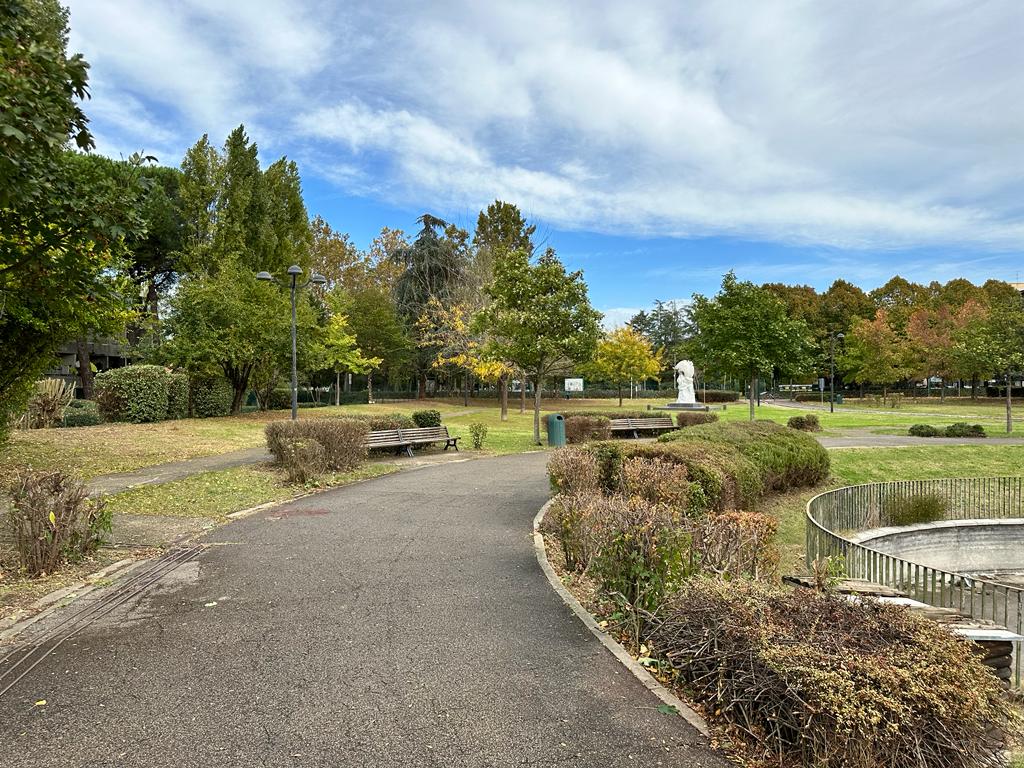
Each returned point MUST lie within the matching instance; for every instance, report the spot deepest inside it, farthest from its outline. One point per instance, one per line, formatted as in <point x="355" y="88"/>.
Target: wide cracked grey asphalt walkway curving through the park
<point x="402" y="622"/>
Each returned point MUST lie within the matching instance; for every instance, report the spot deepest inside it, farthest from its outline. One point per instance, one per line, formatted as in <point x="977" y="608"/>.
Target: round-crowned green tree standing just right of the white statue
<point x="746" y="330"/>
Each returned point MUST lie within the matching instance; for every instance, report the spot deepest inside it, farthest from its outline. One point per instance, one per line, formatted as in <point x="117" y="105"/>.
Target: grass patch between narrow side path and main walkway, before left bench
<point x="217" y="495"/>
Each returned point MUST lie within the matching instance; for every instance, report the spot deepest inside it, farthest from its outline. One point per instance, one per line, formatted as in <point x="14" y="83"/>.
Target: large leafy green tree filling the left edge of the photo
<point x="63" y="226"/>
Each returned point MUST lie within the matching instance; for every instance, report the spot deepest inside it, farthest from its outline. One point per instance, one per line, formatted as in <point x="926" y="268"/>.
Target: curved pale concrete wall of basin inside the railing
<point x="959" y="546"/>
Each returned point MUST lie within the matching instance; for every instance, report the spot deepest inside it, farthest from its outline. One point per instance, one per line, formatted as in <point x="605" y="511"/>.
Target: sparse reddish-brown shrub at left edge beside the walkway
<point x="52" y="520"/>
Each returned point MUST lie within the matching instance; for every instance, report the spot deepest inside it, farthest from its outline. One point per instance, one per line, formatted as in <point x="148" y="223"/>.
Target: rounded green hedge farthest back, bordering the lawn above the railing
<point x="787" y="458"/>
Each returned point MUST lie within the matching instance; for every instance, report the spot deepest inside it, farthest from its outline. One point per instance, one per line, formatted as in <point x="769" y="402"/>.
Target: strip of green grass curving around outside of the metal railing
<point x="852" y="466"/>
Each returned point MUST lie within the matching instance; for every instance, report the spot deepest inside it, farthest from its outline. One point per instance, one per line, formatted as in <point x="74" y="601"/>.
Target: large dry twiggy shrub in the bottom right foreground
<point x="821" y="680"/>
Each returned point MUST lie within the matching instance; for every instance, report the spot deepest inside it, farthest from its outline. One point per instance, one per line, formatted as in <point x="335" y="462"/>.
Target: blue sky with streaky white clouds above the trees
<point x="657" y="145"/>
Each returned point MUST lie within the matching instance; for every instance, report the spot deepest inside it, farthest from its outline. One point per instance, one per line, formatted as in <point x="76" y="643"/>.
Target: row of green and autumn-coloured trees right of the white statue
<point x="899" y="333"/>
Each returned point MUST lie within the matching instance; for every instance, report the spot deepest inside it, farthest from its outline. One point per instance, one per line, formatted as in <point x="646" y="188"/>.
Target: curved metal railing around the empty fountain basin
<point x="857" y="508"/>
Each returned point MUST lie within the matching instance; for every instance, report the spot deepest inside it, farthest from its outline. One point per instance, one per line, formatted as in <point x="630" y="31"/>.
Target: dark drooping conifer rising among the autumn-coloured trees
<point x="435" y="267"/>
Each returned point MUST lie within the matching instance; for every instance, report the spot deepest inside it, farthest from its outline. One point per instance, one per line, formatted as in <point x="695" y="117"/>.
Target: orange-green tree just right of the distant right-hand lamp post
<point x="876" y="353"/>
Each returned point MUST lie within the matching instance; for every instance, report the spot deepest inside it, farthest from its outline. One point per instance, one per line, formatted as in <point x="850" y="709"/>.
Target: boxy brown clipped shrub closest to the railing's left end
<point x="736" y="545"/>
